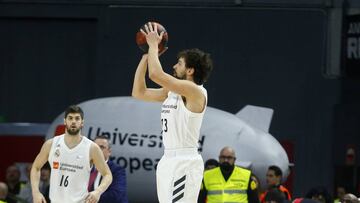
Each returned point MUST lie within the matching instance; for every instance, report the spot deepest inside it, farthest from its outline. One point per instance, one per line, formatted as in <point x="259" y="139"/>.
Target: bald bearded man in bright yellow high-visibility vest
<point x="220" y="184"/>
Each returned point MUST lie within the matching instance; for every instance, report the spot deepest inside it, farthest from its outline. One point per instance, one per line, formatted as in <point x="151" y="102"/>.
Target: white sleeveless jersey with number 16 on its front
<point x="70" y="171"/>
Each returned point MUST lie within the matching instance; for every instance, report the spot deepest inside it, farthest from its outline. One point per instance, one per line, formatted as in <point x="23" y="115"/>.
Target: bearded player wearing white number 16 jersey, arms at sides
<point x="71" y="156"/>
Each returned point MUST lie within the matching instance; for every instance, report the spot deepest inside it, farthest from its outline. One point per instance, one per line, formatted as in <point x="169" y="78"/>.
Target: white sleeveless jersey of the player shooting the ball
<point x="180" y="127"/>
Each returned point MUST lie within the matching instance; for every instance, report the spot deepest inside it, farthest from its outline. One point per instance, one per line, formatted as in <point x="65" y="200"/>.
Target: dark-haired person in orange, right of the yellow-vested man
<point x="273" y="180"/>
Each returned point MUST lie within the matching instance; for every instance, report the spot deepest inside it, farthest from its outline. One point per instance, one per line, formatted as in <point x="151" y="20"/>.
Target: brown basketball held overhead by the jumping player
<point x="141" y="39"/>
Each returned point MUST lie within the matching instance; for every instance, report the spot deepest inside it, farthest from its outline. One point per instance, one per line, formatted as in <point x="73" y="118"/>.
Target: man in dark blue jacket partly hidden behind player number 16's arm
<point x="116" y="192"/>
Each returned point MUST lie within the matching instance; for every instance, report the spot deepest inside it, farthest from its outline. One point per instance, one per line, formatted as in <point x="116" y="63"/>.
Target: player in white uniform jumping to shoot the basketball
<point x="180" y="170"/>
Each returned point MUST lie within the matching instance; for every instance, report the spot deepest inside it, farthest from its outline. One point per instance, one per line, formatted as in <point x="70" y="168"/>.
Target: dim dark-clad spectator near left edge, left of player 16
<point x="13" y="182"/>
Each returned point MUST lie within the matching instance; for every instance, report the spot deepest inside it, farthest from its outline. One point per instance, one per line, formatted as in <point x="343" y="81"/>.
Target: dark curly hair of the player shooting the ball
<point x="200" y="61"/>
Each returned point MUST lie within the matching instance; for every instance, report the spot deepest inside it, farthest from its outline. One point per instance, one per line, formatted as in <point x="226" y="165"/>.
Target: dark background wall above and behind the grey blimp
<point x="272" y="55"/>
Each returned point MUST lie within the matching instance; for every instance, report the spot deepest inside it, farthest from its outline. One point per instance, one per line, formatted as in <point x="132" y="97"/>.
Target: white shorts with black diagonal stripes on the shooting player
<point x="178" y="176"/>
